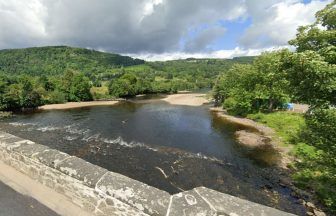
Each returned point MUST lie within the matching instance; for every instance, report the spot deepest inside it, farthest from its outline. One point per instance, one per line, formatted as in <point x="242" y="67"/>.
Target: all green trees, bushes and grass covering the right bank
<point x="307" y="75"/>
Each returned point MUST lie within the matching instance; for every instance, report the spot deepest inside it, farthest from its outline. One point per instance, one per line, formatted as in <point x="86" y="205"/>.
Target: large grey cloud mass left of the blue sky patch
<point x="113" y="25"/>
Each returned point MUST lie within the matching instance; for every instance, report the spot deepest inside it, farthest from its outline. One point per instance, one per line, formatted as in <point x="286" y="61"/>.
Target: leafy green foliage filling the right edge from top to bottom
<point x="312" y="75"/>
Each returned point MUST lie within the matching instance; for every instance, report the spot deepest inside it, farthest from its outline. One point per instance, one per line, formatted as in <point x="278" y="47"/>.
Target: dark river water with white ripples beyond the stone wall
<point x="171" y="147"/>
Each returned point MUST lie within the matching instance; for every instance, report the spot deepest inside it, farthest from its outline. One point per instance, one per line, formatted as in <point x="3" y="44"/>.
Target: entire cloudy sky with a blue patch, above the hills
<point x="157" y="29"/>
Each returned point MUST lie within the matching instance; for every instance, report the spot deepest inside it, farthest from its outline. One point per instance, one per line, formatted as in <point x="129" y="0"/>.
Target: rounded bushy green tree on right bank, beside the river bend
<point x="261" y="86"/>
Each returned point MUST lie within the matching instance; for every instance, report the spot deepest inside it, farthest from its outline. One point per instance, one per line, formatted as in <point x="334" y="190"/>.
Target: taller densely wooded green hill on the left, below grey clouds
<point x="54" y="60"/>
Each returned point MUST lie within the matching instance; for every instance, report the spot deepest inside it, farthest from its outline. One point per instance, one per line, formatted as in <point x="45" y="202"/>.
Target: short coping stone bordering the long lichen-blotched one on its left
<point x="81" y="170"/>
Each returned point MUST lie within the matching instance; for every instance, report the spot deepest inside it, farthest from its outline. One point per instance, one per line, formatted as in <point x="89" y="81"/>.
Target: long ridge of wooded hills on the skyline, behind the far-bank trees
<point x="55" y="60"/>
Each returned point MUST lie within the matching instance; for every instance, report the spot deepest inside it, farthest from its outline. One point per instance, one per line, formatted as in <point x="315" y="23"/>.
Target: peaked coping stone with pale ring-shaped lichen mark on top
<point x="189" y="203"/>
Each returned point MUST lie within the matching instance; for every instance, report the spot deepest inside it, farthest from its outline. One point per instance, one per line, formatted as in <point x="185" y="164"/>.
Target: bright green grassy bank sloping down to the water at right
<point x="310" y="171"/>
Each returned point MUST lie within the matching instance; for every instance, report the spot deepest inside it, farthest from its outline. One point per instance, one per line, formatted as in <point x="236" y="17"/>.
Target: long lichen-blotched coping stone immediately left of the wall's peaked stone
<point x="137" y="194"/>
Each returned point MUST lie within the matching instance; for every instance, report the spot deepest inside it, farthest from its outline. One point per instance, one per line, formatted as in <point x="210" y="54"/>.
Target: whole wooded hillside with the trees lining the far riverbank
<point x="34" y="76"/>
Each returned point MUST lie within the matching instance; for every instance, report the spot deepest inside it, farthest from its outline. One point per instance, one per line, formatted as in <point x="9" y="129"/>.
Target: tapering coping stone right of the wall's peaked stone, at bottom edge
<point x="226" y="204"/>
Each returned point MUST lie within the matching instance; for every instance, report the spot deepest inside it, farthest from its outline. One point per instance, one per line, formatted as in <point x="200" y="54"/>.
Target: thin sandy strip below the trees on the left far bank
<point x="71" y="105"/>
